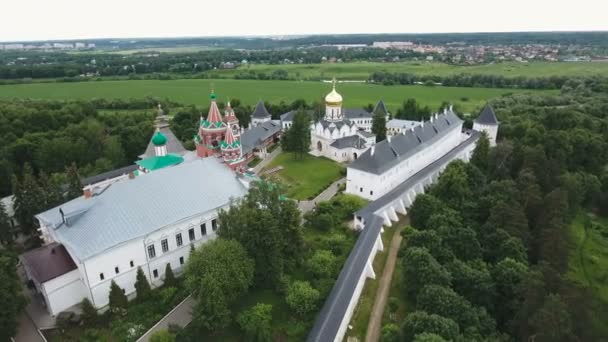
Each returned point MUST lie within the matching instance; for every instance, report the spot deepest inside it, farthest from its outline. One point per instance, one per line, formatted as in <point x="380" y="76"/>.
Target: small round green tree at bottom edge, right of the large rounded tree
<point x="256" y="322"/>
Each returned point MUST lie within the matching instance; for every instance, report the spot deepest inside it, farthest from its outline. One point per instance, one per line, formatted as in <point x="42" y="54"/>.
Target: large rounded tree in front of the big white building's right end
<point x="217" y="274"/>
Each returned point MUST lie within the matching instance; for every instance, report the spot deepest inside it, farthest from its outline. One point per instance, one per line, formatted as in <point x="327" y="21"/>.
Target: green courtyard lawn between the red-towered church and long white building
<point x="305" y="177"/>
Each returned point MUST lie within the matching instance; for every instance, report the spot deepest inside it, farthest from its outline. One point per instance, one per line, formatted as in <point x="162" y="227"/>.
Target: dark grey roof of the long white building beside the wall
<point x="390" y="152"/>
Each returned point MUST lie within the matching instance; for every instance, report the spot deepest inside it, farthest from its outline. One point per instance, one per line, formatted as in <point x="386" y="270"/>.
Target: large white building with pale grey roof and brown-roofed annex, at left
<point x="148" y="221"/>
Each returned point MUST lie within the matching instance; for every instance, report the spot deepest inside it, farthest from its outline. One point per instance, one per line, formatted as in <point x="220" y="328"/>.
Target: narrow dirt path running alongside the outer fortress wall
<point x="375" y="319"/>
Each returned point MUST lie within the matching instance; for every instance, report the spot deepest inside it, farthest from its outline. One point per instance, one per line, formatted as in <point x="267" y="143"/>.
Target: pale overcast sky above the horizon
<point x="81" y="19"/>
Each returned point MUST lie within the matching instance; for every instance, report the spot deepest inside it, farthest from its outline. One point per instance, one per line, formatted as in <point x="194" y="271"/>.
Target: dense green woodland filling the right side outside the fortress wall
<point x="487" y="255"/>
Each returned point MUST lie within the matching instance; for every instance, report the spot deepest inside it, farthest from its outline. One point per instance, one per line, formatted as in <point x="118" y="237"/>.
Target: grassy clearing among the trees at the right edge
<point x="588" y="264"/>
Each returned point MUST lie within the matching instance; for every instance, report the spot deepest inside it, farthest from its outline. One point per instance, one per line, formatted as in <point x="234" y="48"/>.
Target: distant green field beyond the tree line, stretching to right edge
<point x="362" y="70"/>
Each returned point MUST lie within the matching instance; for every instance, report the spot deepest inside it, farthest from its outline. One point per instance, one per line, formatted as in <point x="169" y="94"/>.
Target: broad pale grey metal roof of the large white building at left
<point x="133" y="208"/>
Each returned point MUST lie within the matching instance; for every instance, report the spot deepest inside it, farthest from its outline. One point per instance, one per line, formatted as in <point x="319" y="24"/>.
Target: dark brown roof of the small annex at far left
<point x="48" y="262"/>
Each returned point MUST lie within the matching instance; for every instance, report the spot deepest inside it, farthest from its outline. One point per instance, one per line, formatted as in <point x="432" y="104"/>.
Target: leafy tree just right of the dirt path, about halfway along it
<point x="421" y="269"/>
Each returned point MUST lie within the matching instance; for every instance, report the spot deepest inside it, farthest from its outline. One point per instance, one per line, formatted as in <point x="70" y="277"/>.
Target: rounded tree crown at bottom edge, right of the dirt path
<point x="419" y="322"/>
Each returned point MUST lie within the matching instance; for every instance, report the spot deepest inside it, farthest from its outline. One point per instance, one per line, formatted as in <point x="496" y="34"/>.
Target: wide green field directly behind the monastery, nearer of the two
<point x="195" y="91"/>
